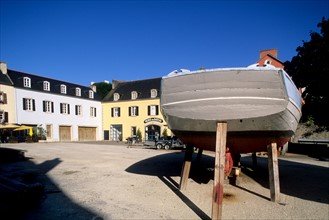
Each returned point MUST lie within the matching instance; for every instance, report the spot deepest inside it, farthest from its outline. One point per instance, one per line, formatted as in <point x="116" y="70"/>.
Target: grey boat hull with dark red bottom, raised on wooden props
<point x="261" y="105"/>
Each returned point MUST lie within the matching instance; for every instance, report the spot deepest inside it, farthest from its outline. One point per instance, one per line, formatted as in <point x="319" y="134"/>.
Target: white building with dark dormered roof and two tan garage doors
<point x="64" y="111"/>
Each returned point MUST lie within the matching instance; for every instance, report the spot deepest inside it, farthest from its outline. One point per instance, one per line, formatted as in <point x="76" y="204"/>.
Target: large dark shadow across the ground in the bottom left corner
<point x="26" y="192"/>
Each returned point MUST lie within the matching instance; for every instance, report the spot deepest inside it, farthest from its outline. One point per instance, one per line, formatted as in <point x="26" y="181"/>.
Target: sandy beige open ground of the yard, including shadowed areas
<point x="111" y="181"/>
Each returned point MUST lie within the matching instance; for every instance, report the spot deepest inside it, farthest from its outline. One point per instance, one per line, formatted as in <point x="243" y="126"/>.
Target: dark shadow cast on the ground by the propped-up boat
<point x="300" y="180"/>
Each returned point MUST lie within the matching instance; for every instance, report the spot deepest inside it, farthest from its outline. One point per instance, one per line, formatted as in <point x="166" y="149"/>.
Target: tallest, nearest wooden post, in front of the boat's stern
<point x="217" y="200"/>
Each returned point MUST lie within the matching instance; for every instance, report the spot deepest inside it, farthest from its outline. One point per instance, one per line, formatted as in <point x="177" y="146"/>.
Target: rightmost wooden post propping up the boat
<point x="273" y="170"/>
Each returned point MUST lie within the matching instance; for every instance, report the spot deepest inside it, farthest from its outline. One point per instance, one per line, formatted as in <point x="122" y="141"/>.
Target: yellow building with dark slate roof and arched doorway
<point x="132" y="109"/>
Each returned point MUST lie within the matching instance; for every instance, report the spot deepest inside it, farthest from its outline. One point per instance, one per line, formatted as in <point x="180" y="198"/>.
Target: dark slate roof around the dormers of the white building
<point x="37" y="85"/>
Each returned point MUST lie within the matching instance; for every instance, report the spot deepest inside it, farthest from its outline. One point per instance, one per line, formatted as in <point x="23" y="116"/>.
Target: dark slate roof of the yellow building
<point x="142" y="87"/>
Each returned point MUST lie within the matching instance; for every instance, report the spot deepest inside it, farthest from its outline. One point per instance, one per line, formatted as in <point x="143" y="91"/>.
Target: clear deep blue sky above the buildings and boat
<point x="84" y="41"/>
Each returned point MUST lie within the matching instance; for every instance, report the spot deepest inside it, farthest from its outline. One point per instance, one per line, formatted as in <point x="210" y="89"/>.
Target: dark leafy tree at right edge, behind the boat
<point x="310" y="69"/>
